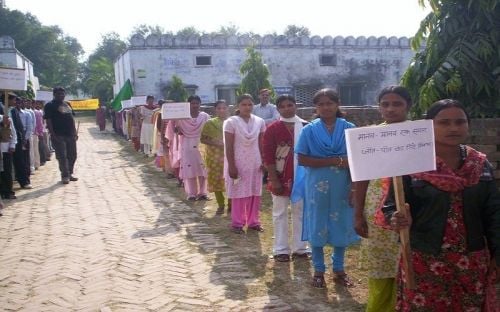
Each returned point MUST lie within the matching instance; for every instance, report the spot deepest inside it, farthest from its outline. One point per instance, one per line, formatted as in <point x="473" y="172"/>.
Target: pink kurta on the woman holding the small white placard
<point x="191" y="163"/>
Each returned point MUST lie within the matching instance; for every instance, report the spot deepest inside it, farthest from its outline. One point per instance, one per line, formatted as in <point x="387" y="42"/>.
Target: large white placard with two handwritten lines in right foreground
<point x="391" y="150"/>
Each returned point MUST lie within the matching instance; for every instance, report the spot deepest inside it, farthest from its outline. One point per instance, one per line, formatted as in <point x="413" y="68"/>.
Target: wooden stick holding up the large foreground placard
<point x="404" y="234"/>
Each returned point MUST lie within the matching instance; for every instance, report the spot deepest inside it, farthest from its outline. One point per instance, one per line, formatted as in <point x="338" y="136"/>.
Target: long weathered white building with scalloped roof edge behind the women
<point x="209" y="65"/>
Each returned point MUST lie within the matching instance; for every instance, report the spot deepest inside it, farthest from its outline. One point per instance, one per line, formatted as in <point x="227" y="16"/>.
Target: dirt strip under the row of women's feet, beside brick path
<point x="289" y="281"/>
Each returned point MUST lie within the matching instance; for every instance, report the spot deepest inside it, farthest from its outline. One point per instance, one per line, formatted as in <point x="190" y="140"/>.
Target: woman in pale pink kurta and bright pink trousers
<point x="243" y="165"/>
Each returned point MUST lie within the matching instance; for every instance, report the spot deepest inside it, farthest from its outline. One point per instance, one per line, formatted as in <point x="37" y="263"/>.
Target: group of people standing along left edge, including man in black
<point x="29" y="132"/>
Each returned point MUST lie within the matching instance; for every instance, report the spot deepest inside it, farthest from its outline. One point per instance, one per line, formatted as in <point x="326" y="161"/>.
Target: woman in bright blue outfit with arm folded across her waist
<point x="328" y="217"/>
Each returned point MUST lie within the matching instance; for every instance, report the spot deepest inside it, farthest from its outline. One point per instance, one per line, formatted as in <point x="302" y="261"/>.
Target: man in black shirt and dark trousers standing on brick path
<point x="61" y="125"/>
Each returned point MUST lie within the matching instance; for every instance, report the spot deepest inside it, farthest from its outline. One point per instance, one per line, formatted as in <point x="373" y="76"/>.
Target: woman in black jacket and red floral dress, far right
<point x="454" y="225"/>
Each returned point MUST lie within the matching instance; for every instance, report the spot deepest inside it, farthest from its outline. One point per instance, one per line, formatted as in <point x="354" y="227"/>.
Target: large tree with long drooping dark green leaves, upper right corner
<point x="460" y="58"/>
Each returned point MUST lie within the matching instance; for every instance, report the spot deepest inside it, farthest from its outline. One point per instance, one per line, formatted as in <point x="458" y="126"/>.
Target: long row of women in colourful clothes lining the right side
<point x="453" y="212"/>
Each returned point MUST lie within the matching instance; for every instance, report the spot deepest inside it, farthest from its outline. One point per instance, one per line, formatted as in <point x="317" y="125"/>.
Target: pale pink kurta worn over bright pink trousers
<point x="247" y="156"/>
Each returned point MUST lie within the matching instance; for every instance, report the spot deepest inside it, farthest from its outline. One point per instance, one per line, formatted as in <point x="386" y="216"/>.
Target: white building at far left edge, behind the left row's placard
<point x="12" y="58"/>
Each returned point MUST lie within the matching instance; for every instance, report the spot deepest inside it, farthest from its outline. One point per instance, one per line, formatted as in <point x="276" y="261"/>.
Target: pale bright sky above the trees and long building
<point x="89" y="20"/>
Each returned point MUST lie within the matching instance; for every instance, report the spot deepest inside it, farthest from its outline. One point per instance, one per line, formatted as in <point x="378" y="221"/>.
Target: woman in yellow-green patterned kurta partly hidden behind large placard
<point x="380" y="247"/>
